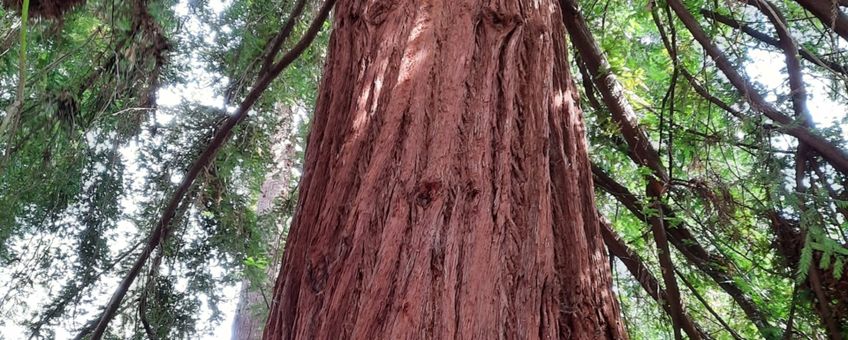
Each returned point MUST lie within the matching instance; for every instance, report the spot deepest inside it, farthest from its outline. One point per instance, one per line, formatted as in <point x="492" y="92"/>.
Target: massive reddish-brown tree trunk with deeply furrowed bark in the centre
<point x="447" y="192"/>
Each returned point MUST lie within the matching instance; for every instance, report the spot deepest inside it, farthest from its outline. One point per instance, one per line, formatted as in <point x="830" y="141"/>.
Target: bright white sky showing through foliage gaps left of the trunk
<point x="198" y="90"/>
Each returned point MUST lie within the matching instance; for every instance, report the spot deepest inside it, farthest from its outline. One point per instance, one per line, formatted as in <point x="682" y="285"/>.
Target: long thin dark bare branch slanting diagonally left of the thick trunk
<point x="203" y="160"/>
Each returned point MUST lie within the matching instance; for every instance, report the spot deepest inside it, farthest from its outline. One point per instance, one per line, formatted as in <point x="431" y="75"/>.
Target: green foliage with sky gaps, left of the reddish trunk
<point x="94" y="159"/>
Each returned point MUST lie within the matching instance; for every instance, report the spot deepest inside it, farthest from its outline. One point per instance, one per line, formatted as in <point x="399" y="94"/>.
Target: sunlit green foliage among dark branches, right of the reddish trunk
<point x="728" y="173"/>
